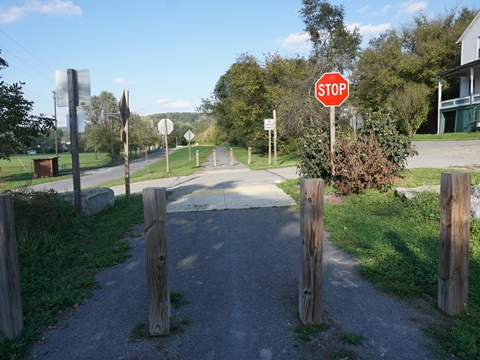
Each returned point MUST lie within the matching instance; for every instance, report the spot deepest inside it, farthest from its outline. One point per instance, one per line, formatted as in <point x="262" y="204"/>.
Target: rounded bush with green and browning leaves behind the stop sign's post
<point x="373" y="160"/>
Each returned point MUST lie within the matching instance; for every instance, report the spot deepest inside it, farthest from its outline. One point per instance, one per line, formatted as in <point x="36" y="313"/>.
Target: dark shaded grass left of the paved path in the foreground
<point x="59" y="255"/>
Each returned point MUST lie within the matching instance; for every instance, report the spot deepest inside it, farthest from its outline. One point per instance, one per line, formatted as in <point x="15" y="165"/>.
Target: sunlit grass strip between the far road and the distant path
<point x="179" y="165"/>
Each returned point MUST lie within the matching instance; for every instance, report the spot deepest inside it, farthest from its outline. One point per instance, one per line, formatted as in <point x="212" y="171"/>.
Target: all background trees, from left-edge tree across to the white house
<point x="396" y="72"/>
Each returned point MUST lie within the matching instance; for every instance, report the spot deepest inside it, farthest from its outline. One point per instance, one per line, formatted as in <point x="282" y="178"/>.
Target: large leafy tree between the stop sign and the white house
<point x="413" y="54"/>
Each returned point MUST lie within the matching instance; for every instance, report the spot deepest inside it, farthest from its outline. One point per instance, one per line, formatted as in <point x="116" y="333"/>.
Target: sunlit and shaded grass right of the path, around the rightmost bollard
<point x="396" y="244"/>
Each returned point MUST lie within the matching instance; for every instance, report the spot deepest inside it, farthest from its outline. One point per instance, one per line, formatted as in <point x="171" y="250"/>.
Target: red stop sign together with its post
<point x="332" y="89"/>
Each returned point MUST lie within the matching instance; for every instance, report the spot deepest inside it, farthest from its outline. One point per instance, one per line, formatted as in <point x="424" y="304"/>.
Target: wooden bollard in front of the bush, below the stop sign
<point x="311" y="234"/>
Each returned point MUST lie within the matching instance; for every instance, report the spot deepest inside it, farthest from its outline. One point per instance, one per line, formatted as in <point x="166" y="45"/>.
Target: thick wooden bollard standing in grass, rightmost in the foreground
<point x="454" y="236"/>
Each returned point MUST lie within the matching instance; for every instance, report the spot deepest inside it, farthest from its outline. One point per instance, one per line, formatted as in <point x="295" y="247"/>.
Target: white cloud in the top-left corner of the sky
<point x="50" y="7"/>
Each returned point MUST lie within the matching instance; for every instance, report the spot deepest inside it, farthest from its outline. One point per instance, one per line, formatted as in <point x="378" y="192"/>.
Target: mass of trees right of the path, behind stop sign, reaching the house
<point x="396" y="72"/>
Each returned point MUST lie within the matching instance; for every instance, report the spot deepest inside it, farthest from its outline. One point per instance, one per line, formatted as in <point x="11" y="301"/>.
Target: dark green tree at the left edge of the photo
<point x="17" y="126"/>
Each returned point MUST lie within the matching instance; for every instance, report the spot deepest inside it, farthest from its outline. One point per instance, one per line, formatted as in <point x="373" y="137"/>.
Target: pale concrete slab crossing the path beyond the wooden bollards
<point x="231" y="198"/>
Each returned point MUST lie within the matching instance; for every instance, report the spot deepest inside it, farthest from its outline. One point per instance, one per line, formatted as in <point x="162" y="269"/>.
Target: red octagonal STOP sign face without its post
<point x="331" y="89"/>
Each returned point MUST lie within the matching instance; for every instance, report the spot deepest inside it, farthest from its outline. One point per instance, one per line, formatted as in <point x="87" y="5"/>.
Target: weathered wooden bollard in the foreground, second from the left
<point x="154" y="211"/>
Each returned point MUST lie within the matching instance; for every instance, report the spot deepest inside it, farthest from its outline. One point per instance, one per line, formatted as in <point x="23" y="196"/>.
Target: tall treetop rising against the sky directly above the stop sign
<point x="333" y="42"/>
